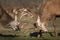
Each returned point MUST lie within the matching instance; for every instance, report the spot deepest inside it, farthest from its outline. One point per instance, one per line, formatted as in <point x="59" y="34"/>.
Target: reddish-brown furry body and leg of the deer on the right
<point x="50" y="10"/>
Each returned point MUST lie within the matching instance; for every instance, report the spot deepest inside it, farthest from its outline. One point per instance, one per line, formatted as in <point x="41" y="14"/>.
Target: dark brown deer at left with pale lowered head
<point x="8" y="16"/>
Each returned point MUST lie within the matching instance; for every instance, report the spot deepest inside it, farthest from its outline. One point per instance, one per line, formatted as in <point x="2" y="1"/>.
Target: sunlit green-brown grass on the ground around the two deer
<point x="24" y="35"/>
